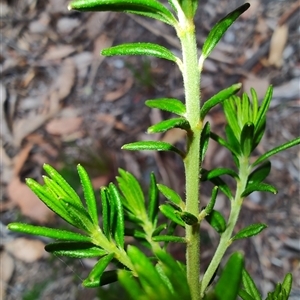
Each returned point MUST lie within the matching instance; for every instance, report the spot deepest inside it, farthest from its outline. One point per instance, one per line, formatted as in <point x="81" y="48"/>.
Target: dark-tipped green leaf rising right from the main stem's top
<point x="220" y="28"/>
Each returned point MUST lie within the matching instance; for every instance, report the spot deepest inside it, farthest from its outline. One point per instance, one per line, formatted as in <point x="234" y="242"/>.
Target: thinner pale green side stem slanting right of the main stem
<point x="225" y="240"/>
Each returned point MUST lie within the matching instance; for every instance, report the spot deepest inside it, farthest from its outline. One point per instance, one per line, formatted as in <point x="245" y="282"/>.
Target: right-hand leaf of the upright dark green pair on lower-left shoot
<point x="119" y="228"/>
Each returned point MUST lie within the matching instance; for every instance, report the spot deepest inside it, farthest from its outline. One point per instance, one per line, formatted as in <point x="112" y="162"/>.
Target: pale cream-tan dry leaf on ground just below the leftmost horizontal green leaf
<point x="26" y="250"/>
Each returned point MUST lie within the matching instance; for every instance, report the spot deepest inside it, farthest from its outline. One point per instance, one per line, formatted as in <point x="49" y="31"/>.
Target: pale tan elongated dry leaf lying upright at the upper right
<point x="277" y="45"/>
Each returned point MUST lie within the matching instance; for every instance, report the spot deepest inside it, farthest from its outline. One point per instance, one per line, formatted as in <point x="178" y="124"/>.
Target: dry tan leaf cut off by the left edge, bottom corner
<point x="6" y="270"/>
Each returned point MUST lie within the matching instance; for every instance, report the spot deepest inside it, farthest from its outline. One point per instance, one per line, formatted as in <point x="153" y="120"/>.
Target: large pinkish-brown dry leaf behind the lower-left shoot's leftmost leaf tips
<point x="30" y="205"/>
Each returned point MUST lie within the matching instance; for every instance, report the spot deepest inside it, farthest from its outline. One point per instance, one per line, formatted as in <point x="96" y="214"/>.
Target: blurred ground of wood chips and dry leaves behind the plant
<point x="63" y="104"/>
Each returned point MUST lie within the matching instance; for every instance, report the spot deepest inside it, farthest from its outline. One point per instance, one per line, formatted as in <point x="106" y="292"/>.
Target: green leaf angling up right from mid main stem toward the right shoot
<point x="218" y="98"/>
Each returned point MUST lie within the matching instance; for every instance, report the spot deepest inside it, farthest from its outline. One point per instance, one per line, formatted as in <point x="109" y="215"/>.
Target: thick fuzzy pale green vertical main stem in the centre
<point x="191" y="80"/>
